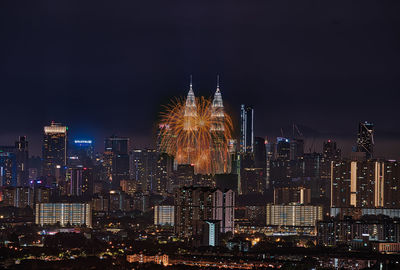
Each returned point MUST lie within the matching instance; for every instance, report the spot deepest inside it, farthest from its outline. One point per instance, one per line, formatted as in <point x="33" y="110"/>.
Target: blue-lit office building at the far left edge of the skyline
<point x="8" y="168"/>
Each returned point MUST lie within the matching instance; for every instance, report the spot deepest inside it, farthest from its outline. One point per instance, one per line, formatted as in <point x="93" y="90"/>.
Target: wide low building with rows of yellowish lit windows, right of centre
<point x="293" y="215"/>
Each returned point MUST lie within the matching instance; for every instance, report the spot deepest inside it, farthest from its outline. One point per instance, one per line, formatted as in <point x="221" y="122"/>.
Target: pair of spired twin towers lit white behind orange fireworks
<point x="207" y="131"/>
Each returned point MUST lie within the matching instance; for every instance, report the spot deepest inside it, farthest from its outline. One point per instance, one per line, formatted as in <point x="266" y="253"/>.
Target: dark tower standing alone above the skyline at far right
<point x="365" y="139"/>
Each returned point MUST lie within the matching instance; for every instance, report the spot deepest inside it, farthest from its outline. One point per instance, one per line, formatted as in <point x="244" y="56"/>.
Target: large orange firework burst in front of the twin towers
<point x="197" y="132"/>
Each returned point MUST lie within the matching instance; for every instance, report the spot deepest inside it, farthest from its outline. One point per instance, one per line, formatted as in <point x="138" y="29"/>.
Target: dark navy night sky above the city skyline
<point x="105" y="67"/>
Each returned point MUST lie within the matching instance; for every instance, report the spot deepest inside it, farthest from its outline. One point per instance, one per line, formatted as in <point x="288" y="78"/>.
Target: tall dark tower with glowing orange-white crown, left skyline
<point x="54" y="152"/>
